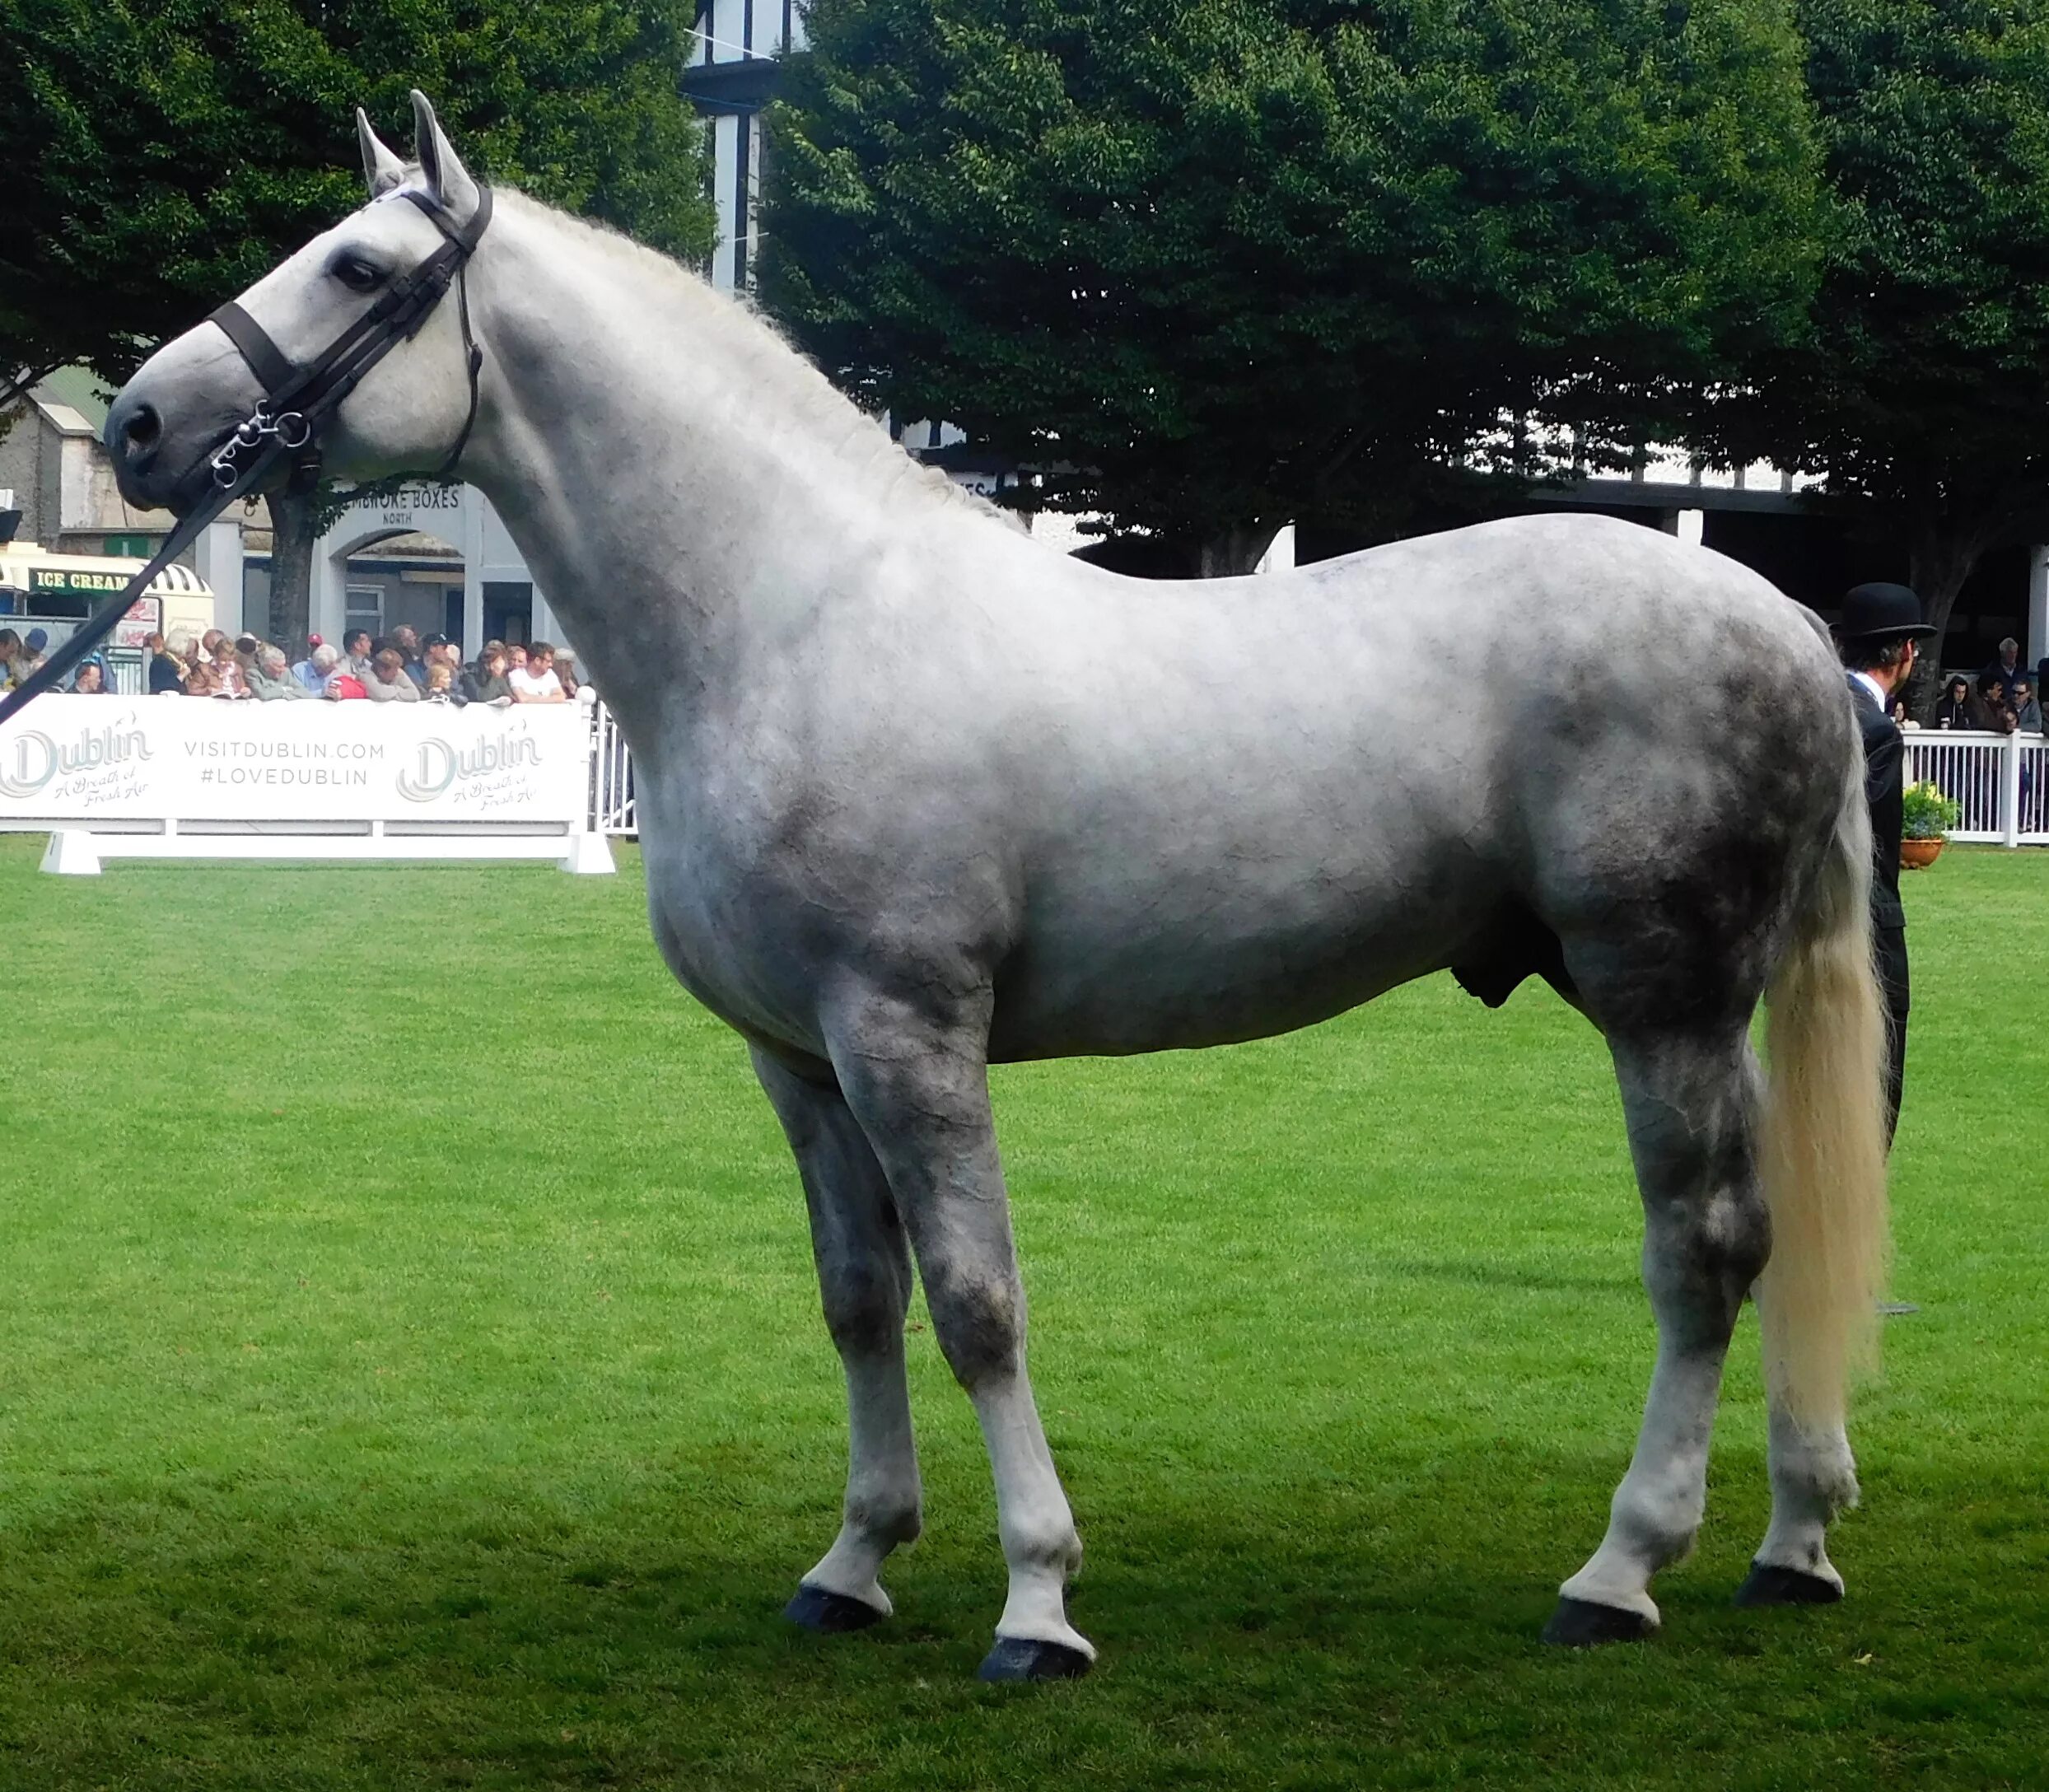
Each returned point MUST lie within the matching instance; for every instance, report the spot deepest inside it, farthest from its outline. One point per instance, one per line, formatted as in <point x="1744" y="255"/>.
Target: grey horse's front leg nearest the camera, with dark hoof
<point x="919" y="1086"/>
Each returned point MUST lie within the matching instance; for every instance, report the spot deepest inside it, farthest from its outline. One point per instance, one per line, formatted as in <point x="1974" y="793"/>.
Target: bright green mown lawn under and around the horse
<point x="411" y="1375"/>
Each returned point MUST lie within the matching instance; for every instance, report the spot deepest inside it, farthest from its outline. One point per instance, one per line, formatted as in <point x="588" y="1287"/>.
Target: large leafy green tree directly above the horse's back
<point x="1218" y="263"/>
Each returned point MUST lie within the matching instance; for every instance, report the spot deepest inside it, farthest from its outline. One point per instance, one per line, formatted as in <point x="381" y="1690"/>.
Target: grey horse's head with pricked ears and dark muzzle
<point x="407" y="415"/>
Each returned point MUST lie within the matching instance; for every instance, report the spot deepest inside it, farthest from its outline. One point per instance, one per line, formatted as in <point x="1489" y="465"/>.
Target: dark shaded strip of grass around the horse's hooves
<point x="1251" y="1627"/>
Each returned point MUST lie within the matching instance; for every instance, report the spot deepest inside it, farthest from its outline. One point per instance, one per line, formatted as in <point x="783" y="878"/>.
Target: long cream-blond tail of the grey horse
<point x="1823" y="1148"/>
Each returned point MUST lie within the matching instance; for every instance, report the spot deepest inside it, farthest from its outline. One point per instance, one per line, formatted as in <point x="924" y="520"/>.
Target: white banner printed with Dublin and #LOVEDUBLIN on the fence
<point x="194" y="759"/>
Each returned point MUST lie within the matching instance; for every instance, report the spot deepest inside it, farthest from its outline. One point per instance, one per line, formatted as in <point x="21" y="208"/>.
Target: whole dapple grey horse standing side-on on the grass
<point x="919" y="796"/>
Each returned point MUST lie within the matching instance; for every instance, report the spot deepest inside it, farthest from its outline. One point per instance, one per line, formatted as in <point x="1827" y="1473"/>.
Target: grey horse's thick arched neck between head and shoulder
<point x="671" y="472"/>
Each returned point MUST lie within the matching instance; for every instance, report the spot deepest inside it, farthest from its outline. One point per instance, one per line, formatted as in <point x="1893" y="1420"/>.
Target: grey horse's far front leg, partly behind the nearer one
<point x="864" y="1275"/>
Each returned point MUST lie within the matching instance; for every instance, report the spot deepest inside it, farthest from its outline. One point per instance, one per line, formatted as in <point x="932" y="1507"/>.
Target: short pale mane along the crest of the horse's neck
<point x="776" y="366"/>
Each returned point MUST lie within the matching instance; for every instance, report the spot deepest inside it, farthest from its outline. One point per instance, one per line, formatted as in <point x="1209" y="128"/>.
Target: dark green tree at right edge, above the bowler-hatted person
<point x="1919" y="392"/>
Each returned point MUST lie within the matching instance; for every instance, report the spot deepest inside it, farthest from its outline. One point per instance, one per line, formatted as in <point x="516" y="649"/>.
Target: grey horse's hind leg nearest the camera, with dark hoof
<point x="1691" y="1103"/>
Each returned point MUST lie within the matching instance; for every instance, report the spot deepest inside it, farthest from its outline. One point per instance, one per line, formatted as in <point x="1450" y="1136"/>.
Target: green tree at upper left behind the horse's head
<point x="167" y="153"/>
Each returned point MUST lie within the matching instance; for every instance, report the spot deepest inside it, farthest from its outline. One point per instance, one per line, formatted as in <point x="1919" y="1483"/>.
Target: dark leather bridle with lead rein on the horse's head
<point x="298" y="400"/>
